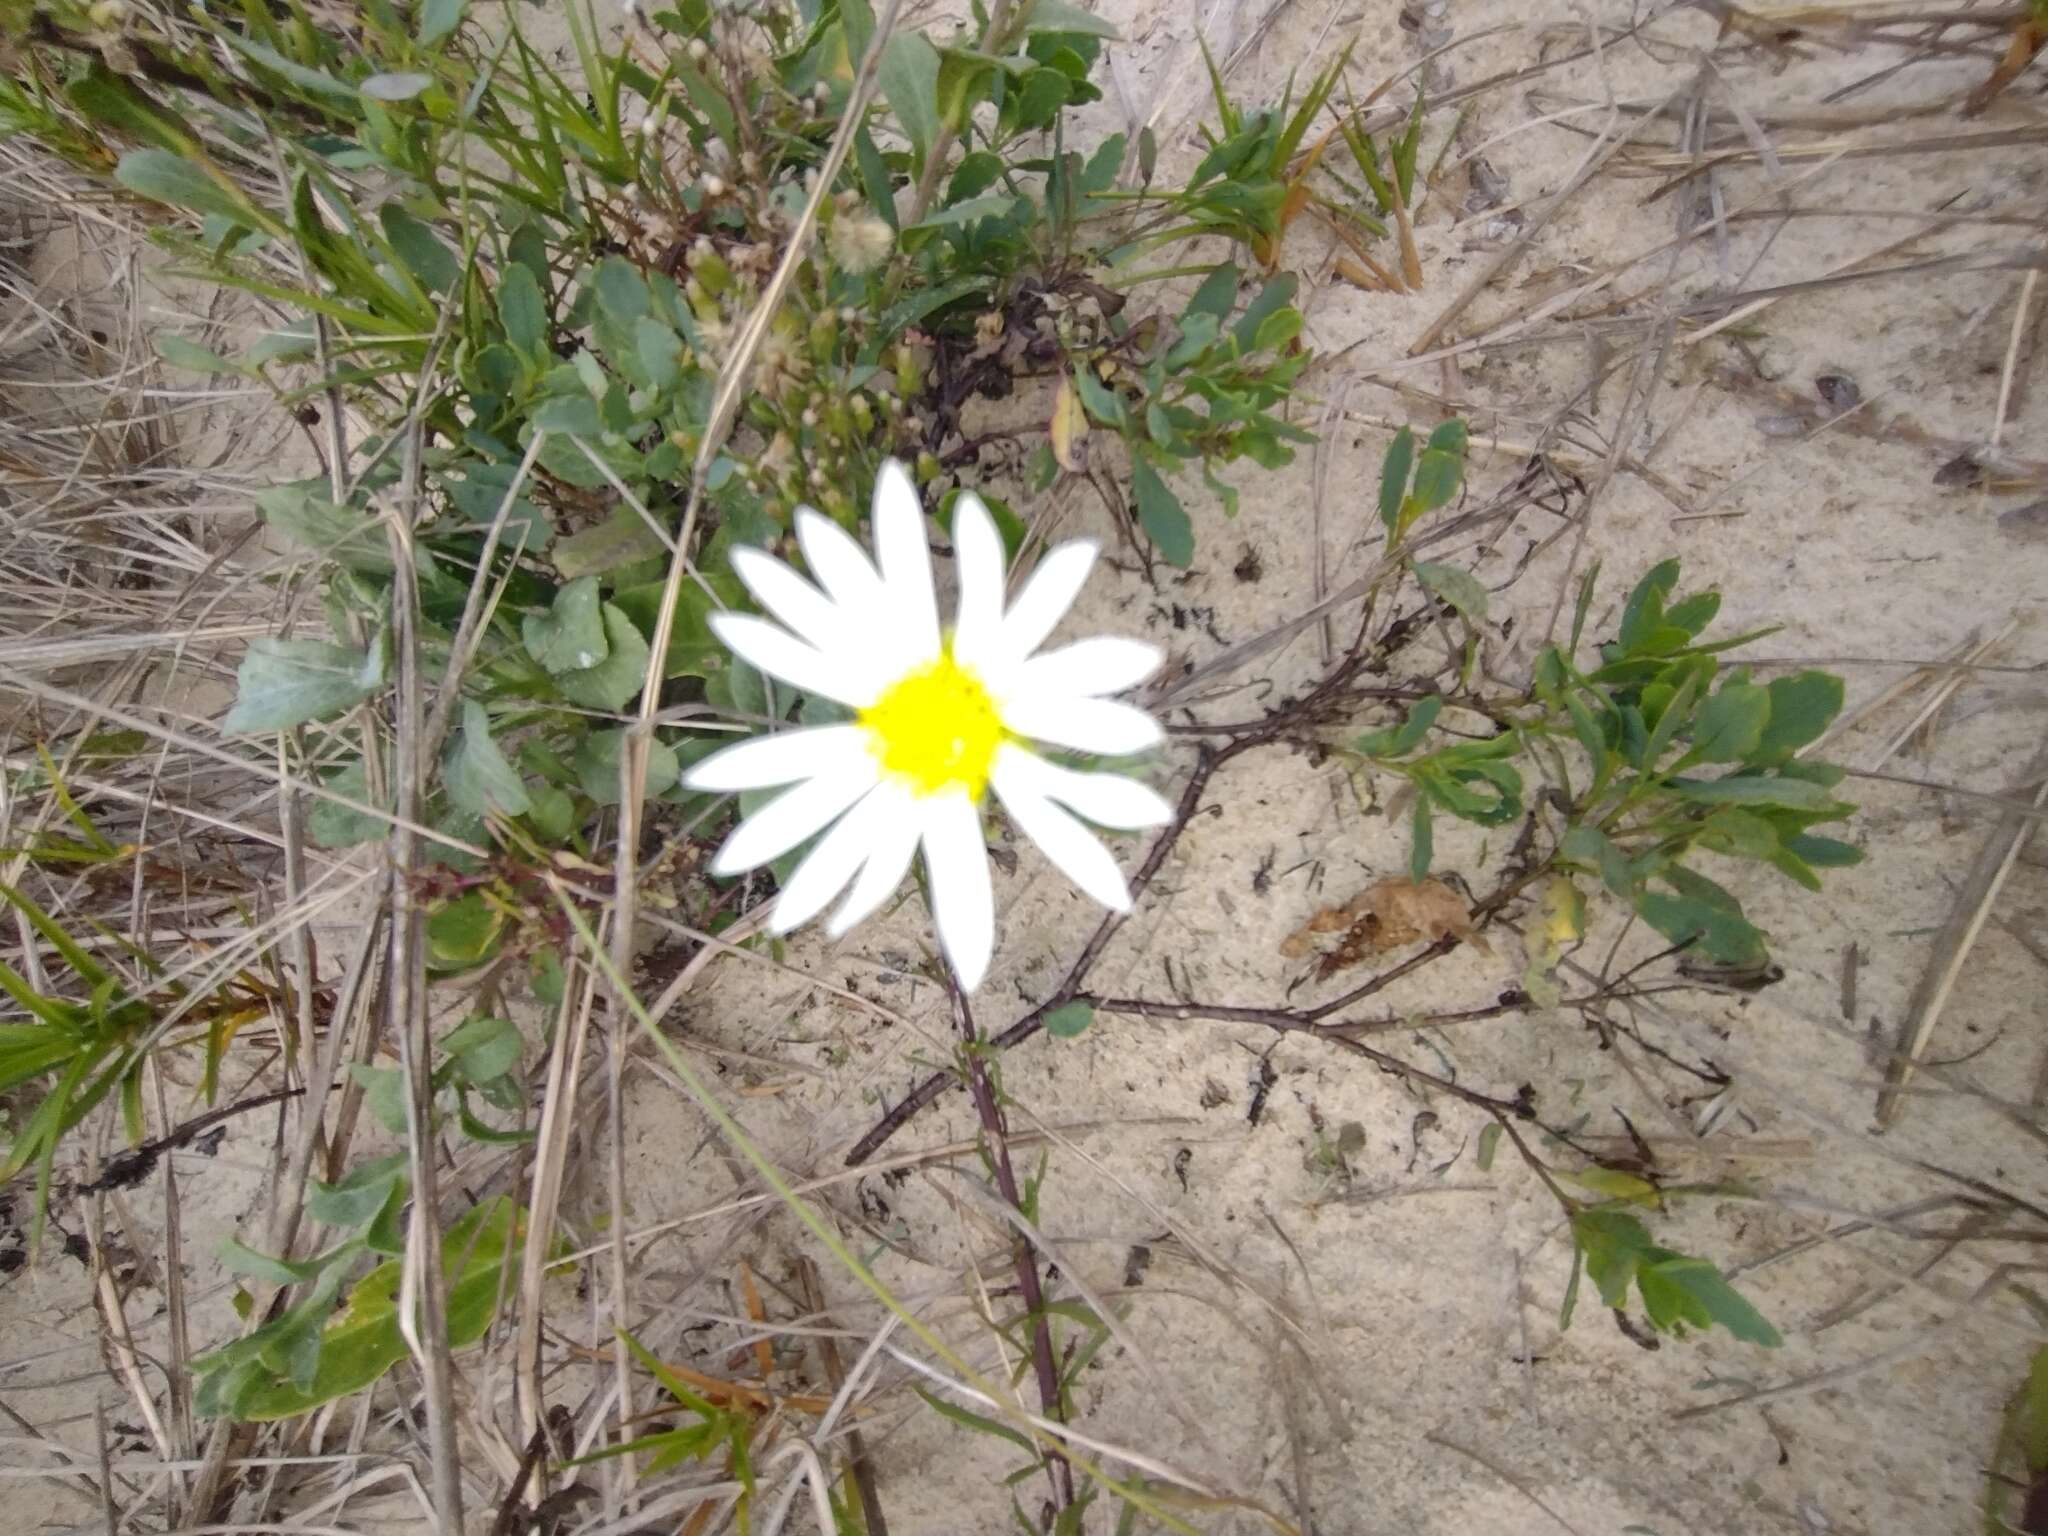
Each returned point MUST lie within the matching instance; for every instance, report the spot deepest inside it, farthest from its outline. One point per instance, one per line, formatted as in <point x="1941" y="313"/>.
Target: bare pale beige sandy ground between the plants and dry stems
<point x="1373" y="1345"/>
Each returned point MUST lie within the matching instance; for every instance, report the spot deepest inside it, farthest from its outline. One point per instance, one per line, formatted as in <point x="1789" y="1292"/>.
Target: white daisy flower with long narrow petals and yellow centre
<point x="939" y="718"/>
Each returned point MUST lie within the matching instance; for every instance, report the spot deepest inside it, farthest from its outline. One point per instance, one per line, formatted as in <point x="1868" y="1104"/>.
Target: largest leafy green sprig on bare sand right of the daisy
<point x="1654" y="755"/>
